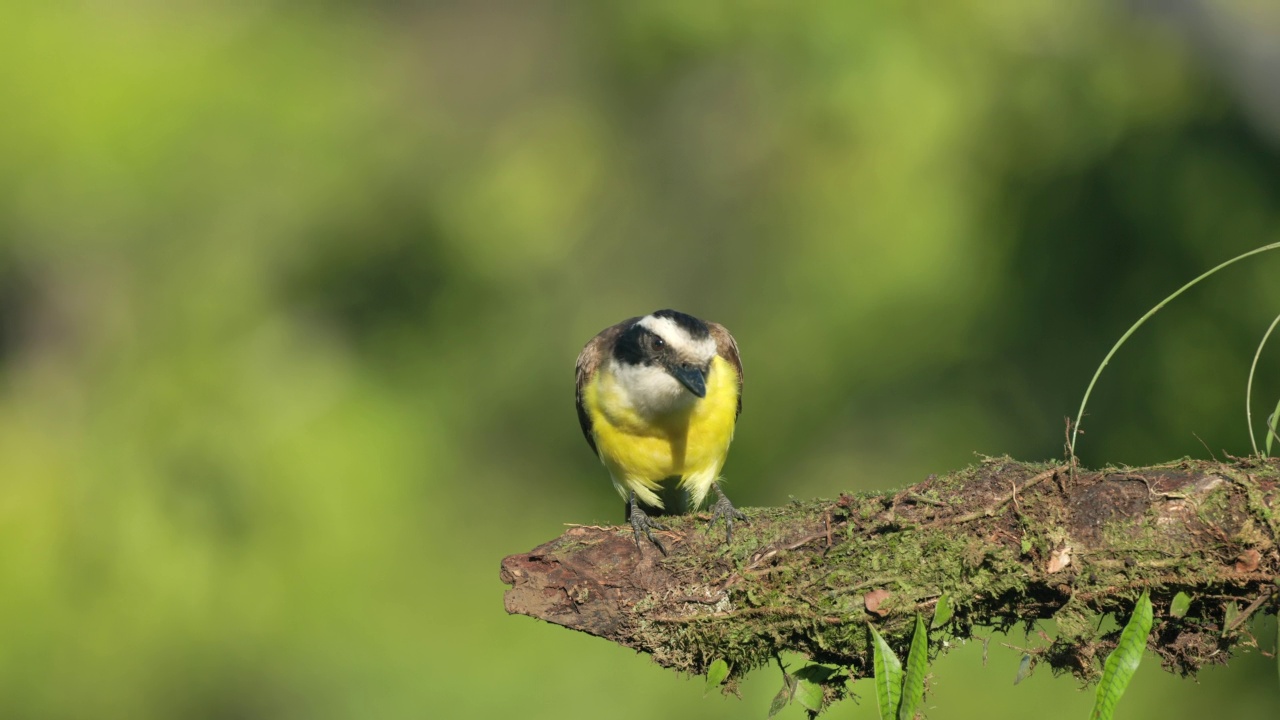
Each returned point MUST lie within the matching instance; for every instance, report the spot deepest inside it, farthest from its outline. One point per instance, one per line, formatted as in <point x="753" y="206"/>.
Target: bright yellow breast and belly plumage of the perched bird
<point x="692" y="444"/>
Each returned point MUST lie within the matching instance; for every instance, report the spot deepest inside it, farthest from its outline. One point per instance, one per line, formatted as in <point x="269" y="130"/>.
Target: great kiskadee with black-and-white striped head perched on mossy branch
<point x="659" y="398"/>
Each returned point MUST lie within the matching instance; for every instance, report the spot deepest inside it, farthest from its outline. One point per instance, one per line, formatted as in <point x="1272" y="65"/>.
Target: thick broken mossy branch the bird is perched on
<point x="1011" y="543"/>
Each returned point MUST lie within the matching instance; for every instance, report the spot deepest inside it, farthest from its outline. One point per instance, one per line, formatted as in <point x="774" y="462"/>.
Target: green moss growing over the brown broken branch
<point x="813" y="601"/>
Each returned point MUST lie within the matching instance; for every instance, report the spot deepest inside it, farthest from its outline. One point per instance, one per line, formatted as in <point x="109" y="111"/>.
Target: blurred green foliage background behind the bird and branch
<point x="290" y="298"/>
